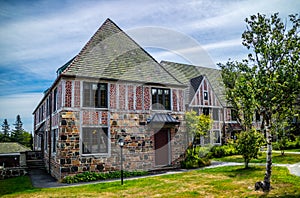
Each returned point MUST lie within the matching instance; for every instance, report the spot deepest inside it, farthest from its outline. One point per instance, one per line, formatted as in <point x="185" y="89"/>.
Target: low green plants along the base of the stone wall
<point x="94" y="176"/>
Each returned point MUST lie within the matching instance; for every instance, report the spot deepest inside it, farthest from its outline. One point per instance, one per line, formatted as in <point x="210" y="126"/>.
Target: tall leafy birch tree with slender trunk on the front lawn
<point x="271" y="72"/>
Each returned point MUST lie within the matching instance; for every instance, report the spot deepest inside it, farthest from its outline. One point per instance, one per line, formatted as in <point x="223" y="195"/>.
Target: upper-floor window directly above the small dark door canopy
<point x="161" y="98"/>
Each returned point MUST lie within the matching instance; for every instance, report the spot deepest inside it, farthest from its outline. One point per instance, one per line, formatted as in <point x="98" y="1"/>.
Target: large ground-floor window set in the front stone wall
<point x="94" y="140"/>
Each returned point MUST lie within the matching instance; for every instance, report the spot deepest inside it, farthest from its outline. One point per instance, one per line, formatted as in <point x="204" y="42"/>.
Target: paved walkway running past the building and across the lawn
<point x="41" y="179"/>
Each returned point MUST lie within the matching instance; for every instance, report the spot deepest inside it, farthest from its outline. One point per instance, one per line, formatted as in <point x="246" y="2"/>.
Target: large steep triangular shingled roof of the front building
<point x="112" y="54"/>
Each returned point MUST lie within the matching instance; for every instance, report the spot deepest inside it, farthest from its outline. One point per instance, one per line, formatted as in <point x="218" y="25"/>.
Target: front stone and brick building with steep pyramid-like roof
<point x="111" y="89"/>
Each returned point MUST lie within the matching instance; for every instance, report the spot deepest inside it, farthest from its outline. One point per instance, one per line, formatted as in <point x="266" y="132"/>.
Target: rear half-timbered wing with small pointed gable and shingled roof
<point x="205" y="95"/>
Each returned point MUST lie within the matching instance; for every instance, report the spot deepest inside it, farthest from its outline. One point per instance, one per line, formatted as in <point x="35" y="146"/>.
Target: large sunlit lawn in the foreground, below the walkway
<point x="215" y="182"/>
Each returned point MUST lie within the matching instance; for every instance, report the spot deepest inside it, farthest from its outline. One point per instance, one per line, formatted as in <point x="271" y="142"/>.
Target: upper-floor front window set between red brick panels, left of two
<point x="95" y="95"/>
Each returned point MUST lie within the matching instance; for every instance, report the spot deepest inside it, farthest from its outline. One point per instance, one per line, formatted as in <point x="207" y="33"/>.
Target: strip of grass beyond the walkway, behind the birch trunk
<point x="277" y="158"/>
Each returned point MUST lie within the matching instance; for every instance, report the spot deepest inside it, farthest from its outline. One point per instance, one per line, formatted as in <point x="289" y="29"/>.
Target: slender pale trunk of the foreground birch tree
<point x="267" y="178"/>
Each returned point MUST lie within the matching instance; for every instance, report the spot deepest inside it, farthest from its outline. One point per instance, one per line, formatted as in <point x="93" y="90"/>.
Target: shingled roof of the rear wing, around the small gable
<point x="190" y="75"/>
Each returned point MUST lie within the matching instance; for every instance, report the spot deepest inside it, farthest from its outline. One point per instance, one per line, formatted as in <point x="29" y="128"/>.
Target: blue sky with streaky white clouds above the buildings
<point x="39" y="36"/>
